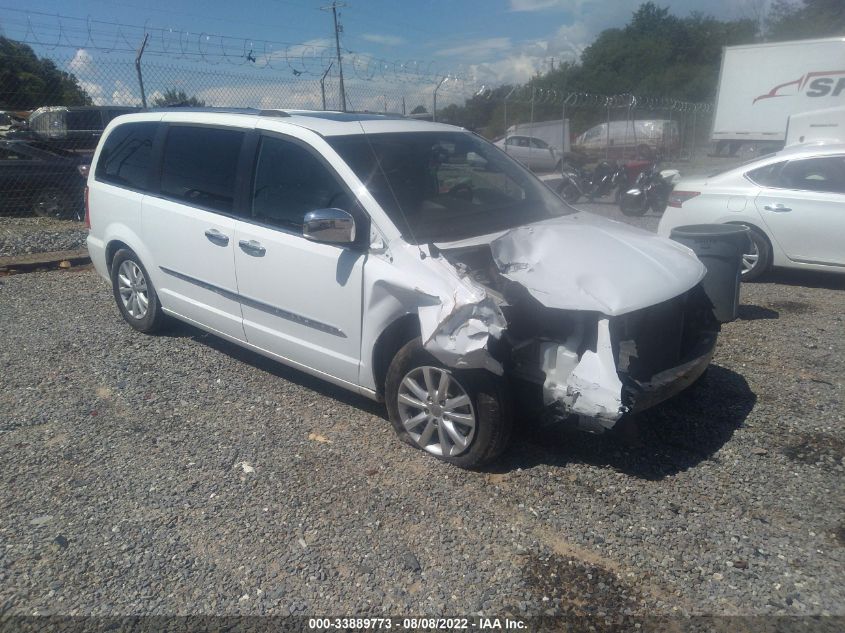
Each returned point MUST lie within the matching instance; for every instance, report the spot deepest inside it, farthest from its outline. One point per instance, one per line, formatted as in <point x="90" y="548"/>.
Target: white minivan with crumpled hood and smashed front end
<point x="369" y="251"/>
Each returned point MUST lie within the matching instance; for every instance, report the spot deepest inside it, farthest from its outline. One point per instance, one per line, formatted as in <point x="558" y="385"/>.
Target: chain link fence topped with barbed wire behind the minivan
<point x="49" y="129"/>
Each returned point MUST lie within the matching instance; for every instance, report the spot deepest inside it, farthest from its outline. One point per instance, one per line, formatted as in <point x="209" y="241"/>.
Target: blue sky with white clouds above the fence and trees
<point x="478" y="44"/>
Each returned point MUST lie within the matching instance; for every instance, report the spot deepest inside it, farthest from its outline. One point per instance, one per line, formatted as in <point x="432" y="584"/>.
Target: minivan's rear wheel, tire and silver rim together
<point x="134" y="293"/>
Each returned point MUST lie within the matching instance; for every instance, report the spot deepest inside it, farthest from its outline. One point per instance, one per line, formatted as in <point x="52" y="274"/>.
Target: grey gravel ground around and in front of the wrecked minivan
<point x="180" y="475"/>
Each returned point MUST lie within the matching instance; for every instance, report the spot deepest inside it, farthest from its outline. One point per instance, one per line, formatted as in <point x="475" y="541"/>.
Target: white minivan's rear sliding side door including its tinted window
<point x="189" y="226"/>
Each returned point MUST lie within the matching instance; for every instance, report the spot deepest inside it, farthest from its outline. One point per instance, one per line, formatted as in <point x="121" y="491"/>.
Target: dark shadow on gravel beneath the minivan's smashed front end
<point x="670" y="438"/>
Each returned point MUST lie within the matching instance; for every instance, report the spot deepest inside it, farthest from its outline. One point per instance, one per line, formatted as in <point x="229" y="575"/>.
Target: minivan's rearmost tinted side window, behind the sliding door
<point x="125" y="157"/>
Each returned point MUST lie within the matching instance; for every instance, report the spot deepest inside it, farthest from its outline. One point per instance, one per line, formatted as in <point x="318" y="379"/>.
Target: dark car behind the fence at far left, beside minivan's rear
<point x="42" y="179"/>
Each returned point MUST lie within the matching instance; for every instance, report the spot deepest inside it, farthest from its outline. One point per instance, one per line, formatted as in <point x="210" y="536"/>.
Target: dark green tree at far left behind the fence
<point x="28" y="82"/>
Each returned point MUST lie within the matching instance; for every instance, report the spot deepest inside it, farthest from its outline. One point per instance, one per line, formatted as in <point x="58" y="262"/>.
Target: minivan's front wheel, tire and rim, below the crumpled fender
<point x="463" y="417"/>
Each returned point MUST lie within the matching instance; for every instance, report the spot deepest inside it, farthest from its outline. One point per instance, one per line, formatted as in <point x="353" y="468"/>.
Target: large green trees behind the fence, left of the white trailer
<point x="655" y="54"/>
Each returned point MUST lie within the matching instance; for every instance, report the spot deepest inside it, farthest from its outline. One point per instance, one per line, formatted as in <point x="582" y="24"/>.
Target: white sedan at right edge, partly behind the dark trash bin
<point x="793" y="203"/>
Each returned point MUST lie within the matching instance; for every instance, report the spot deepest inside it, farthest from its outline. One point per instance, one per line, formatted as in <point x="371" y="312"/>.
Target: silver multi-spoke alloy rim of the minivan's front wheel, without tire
<point x="436" y="411"/>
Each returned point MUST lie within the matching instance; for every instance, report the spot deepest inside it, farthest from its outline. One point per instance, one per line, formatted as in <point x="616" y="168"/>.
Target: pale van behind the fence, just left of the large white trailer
<point x="644" y="138"/>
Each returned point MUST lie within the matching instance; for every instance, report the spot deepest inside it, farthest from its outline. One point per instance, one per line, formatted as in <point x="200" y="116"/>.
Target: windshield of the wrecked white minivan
<point x="444" y="186"/>
